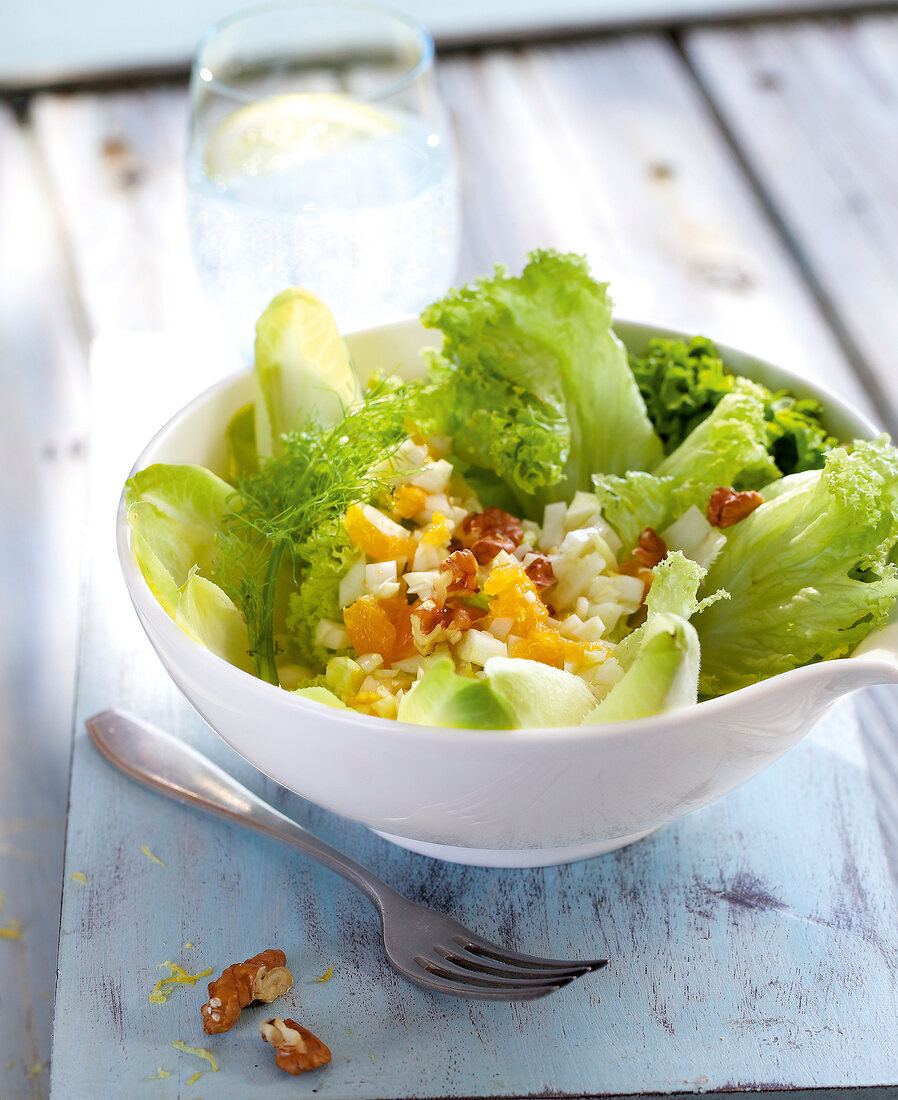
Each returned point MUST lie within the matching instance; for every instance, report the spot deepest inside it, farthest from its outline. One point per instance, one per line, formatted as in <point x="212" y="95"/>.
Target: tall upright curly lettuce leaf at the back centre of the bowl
<point x="534" y="386"/>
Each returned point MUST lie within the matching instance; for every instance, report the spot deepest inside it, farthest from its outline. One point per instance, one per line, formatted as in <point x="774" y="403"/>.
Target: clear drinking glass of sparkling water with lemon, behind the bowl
<point x="321" y="156"/>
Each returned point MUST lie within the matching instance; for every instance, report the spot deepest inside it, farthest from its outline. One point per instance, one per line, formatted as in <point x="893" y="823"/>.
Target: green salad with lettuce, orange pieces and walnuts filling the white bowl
<point x="543" y="531"/>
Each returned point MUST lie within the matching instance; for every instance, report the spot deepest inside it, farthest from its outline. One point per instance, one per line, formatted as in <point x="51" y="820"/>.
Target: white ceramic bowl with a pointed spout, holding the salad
<point x="519" y="798"/>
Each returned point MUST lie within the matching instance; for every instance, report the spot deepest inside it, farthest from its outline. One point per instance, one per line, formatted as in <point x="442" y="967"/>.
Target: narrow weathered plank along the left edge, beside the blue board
<point x="42" y="444"/>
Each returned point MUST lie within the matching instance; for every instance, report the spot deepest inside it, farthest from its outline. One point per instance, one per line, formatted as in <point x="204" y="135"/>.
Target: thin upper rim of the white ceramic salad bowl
<point x="269" y="695"/>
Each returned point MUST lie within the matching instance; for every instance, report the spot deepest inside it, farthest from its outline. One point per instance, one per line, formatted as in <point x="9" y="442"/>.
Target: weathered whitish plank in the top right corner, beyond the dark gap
<point x="813" y="106"/>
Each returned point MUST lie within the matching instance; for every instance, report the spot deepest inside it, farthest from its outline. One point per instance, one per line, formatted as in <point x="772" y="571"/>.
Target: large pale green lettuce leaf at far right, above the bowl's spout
<point x="808" y="571"/>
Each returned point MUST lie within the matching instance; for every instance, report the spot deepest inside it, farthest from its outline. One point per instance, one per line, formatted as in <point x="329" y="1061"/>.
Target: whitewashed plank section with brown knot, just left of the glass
<point x="117" y="162"/>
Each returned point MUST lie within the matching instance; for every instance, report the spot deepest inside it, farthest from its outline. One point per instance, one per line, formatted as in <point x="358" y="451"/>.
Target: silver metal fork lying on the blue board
<point x="425" y="947"/>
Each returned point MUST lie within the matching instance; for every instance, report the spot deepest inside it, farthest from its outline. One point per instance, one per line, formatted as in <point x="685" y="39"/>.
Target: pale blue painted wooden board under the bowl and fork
<point x="754" y="944"/>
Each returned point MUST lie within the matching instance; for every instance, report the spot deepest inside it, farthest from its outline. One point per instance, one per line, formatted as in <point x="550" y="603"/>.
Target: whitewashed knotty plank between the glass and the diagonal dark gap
<point x="608" y="148"/>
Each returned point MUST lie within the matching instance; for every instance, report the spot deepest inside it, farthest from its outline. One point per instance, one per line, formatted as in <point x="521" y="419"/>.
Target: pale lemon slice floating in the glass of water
<point x="284" y="133"/>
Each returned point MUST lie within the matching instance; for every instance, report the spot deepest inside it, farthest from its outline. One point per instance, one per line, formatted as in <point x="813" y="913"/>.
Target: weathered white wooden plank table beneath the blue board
<point x="742" y="182"/>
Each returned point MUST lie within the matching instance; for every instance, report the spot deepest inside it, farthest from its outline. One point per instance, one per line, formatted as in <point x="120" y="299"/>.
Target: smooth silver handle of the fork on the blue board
<point x="158" y="761"/>
